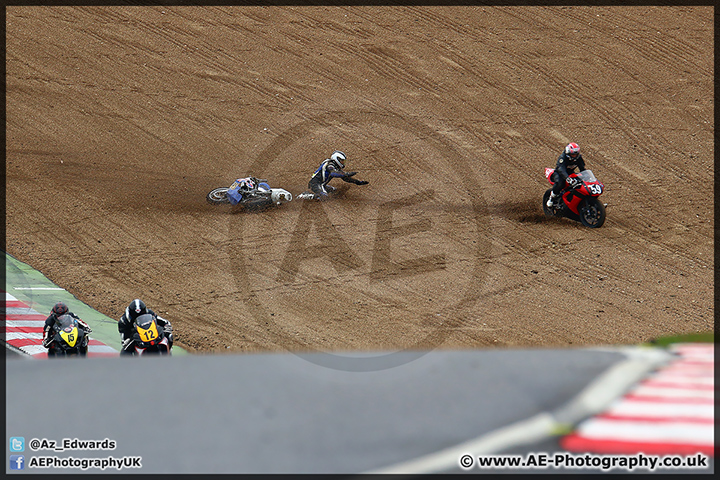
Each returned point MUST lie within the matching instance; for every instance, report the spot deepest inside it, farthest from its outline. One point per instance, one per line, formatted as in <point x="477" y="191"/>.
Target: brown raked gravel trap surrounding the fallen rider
<point x="121" y="119"/>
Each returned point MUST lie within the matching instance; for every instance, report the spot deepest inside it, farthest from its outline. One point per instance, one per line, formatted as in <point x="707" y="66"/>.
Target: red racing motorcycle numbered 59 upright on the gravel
<point x="578" y="200"/>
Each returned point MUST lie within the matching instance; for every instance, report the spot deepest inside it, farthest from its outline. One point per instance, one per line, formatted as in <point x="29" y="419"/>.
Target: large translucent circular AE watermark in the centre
<point x="395" y="265"/>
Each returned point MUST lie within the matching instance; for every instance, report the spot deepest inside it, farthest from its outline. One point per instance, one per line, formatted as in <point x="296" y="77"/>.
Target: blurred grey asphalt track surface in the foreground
<point x="283" y="413"/>
